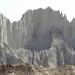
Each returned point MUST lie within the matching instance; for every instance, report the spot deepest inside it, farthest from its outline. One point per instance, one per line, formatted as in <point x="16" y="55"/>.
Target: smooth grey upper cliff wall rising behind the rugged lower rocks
<point x="34" y="30"/>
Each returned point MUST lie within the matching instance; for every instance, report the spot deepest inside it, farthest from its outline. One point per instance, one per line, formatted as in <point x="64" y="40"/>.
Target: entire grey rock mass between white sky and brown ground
<point x="42" y="36"/>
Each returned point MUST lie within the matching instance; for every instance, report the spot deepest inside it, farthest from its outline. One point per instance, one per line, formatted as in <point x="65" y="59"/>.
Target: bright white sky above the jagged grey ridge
<point x="13" y="9"/>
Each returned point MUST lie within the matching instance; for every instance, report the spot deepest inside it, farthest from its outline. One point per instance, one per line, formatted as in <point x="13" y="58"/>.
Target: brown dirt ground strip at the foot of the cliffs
<point x="27" y="69"/>
